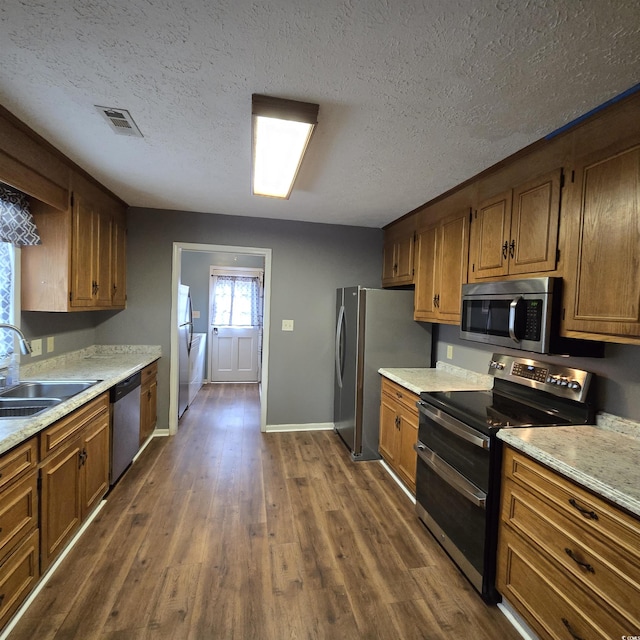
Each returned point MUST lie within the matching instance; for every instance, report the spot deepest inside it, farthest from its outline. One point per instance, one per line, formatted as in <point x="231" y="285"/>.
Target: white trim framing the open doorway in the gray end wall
<point x="176" y="268"/>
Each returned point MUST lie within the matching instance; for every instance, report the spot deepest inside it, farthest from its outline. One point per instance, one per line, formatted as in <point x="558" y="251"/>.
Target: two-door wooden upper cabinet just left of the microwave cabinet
<point x="441" y="269"/>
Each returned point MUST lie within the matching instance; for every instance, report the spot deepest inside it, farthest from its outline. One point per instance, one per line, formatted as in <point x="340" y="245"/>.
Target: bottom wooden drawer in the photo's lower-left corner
<point x="18" y="575"/>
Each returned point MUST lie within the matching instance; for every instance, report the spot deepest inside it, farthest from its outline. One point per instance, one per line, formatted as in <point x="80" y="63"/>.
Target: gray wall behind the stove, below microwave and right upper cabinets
<point x="618" y="373"/>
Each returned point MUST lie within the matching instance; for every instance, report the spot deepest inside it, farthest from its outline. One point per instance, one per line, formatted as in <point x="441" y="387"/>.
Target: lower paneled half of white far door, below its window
<point x="234" y="352"/>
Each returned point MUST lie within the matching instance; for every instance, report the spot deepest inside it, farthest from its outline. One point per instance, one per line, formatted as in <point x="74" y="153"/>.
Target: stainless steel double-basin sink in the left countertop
<point x="31" y="397"/>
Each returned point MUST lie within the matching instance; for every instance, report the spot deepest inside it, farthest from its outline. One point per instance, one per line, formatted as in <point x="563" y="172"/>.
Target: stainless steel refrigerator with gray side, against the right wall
<point x="374" y="328"/>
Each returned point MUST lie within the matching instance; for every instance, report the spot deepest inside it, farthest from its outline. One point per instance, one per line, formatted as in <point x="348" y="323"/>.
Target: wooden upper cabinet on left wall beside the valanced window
<point x="81" y="264"/>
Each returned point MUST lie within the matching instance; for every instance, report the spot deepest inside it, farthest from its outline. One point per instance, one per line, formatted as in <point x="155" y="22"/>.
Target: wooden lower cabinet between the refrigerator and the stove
<point x="399" y="430"/>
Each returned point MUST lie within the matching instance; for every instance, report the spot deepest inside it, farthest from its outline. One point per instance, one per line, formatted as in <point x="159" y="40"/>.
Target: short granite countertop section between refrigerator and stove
<point x="444" y="377"/>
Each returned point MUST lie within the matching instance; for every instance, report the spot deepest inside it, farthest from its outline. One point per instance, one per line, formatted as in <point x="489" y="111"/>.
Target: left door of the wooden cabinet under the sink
<point x="61" y="511"/>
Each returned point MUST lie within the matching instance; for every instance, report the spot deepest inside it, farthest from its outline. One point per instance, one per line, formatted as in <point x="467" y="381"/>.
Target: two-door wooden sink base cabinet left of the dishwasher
<point x="74" y="475"/>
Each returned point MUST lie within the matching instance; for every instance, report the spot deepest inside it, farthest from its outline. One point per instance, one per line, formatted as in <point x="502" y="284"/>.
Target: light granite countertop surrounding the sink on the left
<point x="108" y="364"/>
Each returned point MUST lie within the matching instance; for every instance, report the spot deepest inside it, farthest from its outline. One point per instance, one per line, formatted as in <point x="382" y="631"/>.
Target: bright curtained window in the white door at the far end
<point x="236" y="301"/>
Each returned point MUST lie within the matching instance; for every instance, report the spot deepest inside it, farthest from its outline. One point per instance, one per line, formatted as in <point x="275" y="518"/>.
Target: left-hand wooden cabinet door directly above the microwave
<point x="491" y="234"/>
